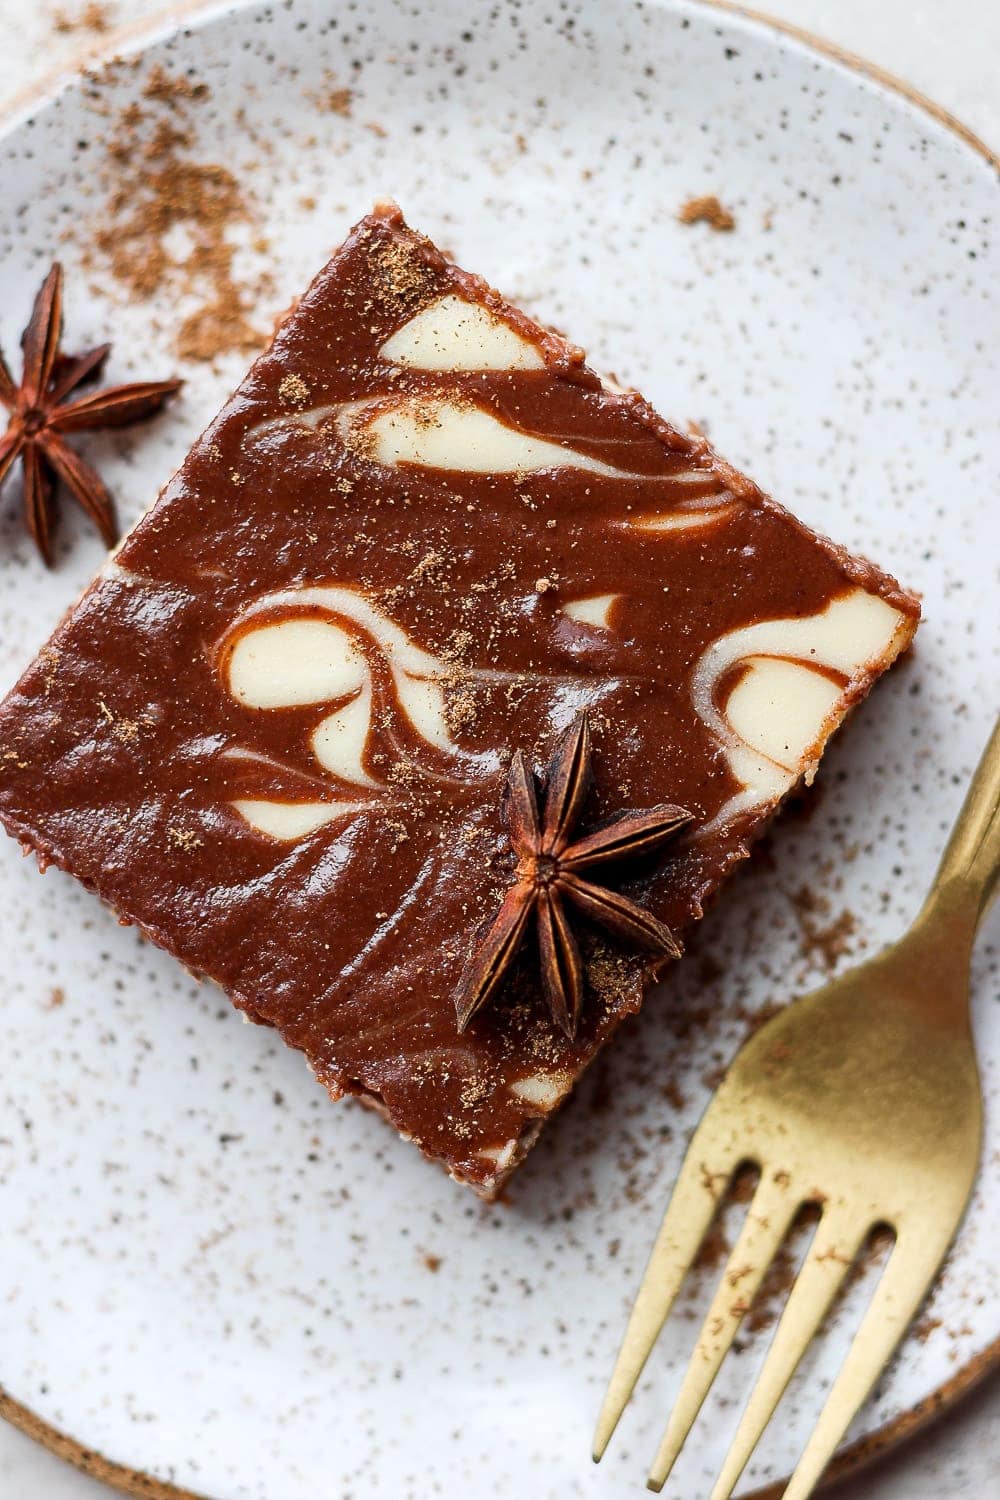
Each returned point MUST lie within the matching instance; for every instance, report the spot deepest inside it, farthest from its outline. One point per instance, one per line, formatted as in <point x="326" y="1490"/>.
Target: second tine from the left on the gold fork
<point x="767" y="1225"/>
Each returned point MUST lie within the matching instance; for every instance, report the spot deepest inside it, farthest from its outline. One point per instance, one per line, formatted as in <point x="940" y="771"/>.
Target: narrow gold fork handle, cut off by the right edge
<point x="971" y="865"/>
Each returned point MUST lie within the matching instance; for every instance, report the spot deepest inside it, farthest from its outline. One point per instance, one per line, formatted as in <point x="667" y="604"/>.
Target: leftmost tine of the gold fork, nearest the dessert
<point x="690" y="1211"/>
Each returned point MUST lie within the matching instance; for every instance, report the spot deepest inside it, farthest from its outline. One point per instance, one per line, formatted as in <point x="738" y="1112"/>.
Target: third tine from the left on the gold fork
<point x="836" y="1244"/>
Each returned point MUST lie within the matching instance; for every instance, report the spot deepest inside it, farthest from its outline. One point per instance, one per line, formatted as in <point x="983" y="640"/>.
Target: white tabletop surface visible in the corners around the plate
<point x="951" y="52"/>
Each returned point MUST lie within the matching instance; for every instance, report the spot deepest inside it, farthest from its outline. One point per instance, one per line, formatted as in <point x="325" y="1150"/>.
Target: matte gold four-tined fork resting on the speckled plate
<point x="863" y="1099"/>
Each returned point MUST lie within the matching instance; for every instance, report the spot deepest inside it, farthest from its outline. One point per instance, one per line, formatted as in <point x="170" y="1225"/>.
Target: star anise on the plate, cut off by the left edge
<point x="41" y="416"/>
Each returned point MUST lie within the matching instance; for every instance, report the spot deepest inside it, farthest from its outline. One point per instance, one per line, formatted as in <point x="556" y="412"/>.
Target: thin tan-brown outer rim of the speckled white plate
<point x="133" y="38"/>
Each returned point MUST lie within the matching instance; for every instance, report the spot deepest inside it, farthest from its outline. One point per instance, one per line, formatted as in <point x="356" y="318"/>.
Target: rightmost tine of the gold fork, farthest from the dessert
<point x="912" y="1265"/>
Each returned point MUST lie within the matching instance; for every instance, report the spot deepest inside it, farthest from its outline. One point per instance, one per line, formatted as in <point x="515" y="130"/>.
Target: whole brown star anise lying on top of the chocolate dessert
<point x="549" y="880"/>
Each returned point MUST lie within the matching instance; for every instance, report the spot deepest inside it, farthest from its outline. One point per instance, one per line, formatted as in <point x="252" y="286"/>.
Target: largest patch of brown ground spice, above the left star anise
<point x="173" y="223"/>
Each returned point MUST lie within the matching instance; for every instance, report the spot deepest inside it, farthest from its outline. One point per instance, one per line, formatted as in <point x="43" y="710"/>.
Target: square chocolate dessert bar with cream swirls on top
<point x="421" y="538"/>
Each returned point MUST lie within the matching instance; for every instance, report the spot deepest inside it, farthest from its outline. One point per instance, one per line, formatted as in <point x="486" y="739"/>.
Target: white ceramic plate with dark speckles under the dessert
<point x="212" y="1276"/>
